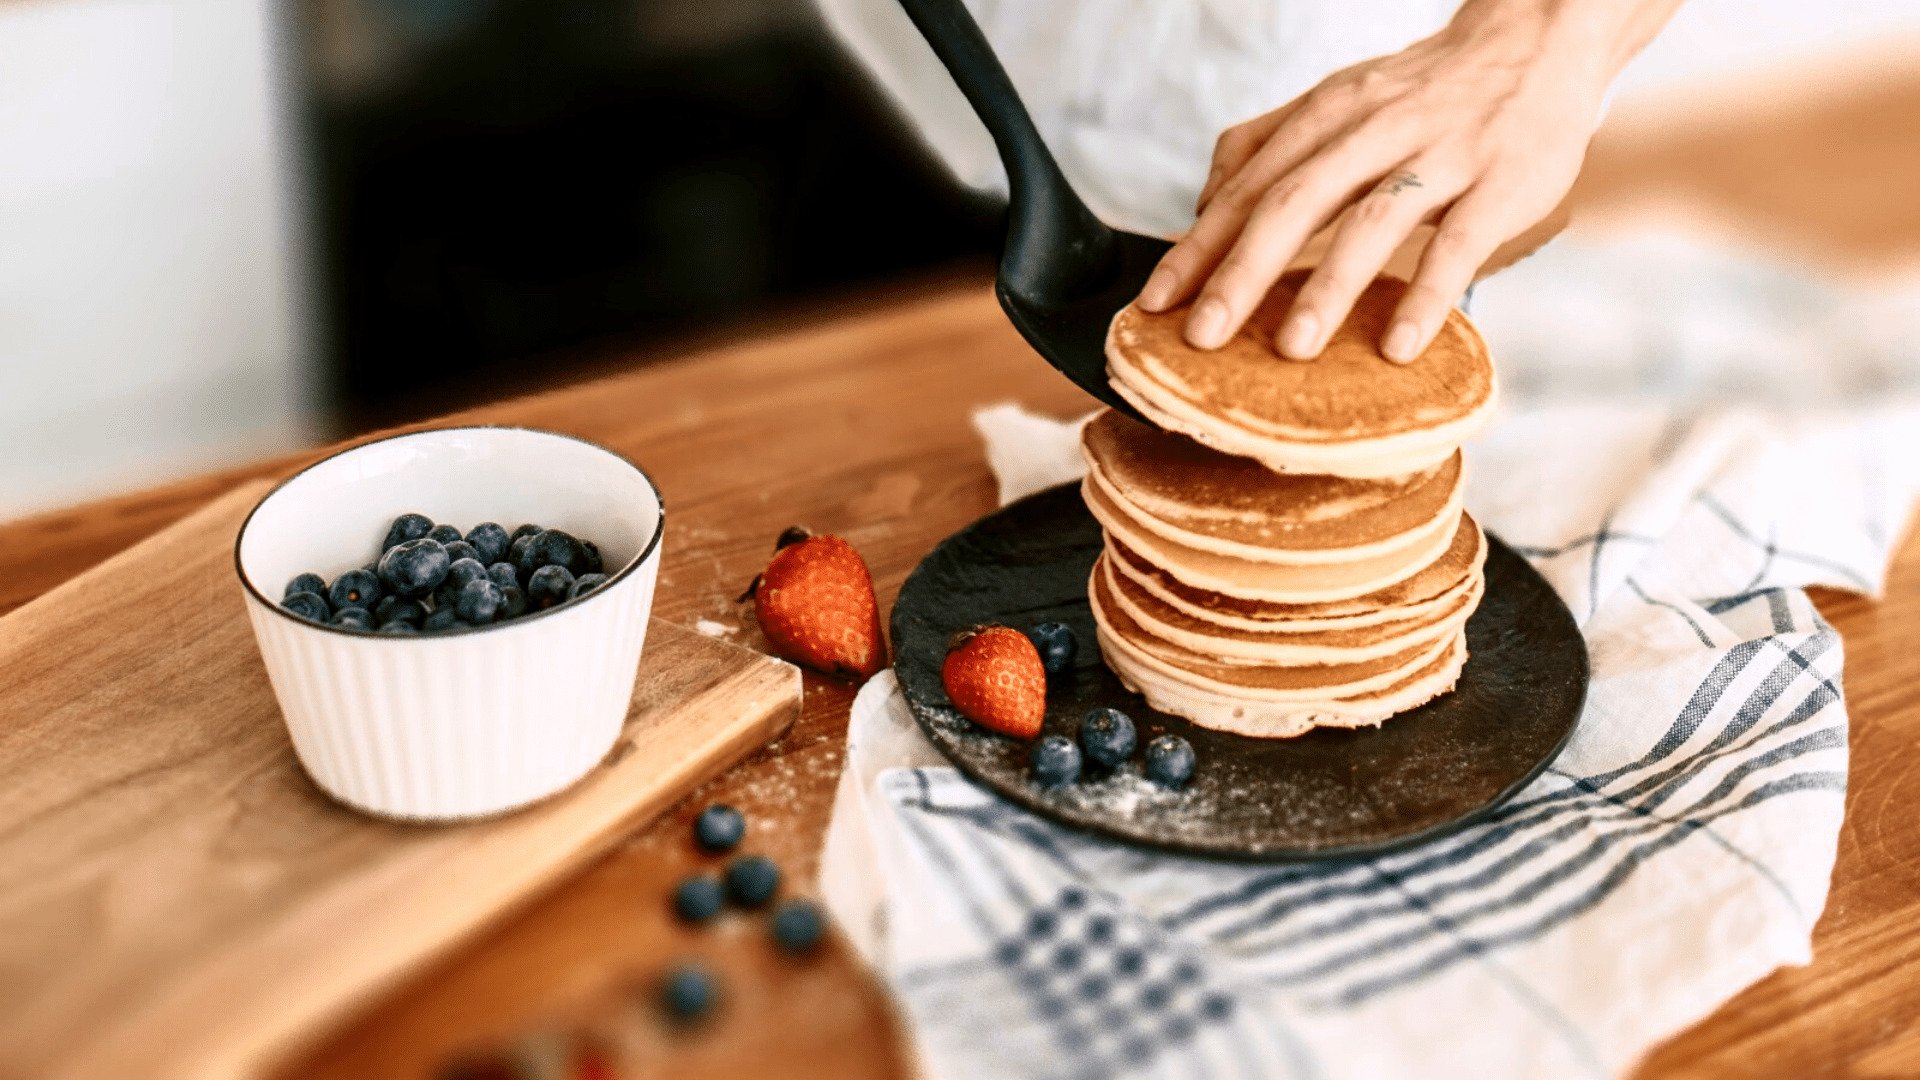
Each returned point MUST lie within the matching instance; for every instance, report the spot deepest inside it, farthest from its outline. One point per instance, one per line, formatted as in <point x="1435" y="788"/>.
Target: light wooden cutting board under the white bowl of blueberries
<point x="178" y="900"/>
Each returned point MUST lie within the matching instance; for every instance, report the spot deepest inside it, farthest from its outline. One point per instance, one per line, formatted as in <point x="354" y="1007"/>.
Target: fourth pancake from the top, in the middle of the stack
<point x="1435" y="585"/>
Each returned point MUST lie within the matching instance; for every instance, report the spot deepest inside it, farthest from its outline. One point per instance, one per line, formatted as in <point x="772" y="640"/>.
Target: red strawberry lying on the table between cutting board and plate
<point x="817" y="606"/>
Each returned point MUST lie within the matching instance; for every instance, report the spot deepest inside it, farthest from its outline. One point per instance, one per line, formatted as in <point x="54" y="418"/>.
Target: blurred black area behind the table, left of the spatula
<point x="512" y="193"/>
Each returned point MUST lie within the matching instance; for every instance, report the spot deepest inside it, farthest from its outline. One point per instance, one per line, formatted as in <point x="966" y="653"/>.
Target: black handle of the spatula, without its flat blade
<point x="1055" y="247"/>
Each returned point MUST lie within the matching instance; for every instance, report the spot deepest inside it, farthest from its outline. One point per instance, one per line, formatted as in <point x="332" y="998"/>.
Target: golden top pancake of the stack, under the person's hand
<point x="1347" y="414"/>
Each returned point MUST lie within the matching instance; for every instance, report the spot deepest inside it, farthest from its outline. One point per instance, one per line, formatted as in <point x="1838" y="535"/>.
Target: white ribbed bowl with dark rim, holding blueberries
<point x="464" y="724"/>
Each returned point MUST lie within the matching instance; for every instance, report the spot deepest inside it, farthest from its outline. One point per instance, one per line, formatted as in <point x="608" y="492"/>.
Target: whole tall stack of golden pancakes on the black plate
<point x="1291" y="552"/>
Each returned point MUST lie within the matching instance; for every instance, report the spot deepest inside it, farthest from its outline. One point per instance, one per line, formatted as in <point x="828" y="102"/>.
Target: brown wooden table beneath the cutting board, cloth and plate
<point x="859" y="426"/>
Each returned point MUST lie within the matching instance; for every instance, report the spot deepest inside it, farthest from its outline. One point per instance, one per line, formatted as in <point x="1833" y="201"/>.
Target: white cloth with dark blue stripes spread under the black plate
<point x="1679" y="850"/>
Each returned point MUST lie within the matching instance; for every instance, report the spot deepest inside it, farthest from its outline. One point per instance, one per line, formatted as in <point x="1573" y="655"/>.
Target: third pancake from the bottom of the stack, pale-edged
<point x="1285" y="647"/>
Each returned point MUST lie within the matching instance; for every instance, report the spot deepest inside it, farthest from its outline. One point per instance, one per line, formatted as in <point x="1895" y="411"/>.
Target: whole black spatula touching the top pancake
<point x="1065" y="274"/>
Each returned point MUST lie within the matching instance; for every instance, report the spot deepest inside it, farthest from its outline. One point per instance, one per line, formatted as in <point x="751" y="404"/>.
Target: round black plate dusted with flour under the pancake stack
<point x="1322" y="797"/>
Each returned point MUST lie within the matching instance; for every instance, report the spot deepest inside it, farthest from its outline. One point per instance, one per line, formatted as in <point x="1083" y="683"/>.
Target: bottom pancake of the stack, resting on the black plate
<point x="1285" y="720"/>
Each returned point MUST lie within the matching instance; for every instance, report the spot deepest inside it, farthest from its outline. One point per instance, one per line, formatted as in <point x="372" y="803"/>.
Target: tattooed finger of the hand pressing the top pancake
<point x="1372" y="232"/>
